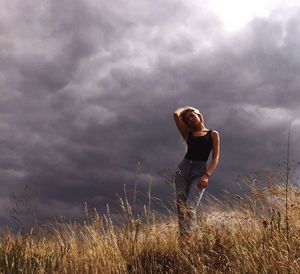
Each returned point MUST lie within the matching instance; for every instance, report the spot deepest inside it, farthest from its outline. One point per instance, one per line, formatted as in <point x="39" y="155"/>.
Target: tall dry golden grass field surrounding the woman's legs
<point x="249" y="234"/>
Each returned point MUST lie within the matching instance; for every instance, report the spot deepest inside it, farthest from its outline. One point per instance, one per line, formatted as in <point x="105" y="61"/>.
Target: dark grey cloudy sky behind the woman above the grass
<point x="88" y="88"/>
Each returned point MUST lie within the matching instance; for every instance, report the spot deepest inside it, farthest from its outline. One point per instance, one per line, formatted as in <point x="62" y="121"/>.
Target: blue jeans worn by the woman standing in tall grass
<point x="188" y="195"/>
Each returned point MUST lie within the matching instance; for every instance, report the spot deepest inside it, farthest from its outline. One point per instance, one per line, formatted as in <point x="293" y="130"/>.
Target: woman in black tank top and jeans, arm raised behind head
<point x="192" y="175"/>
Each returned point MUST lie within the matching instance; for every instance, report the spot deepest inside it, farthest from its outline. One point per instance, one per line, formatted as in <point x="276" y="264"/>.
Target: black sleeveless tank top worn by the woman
<point x="199" y="147"/>
